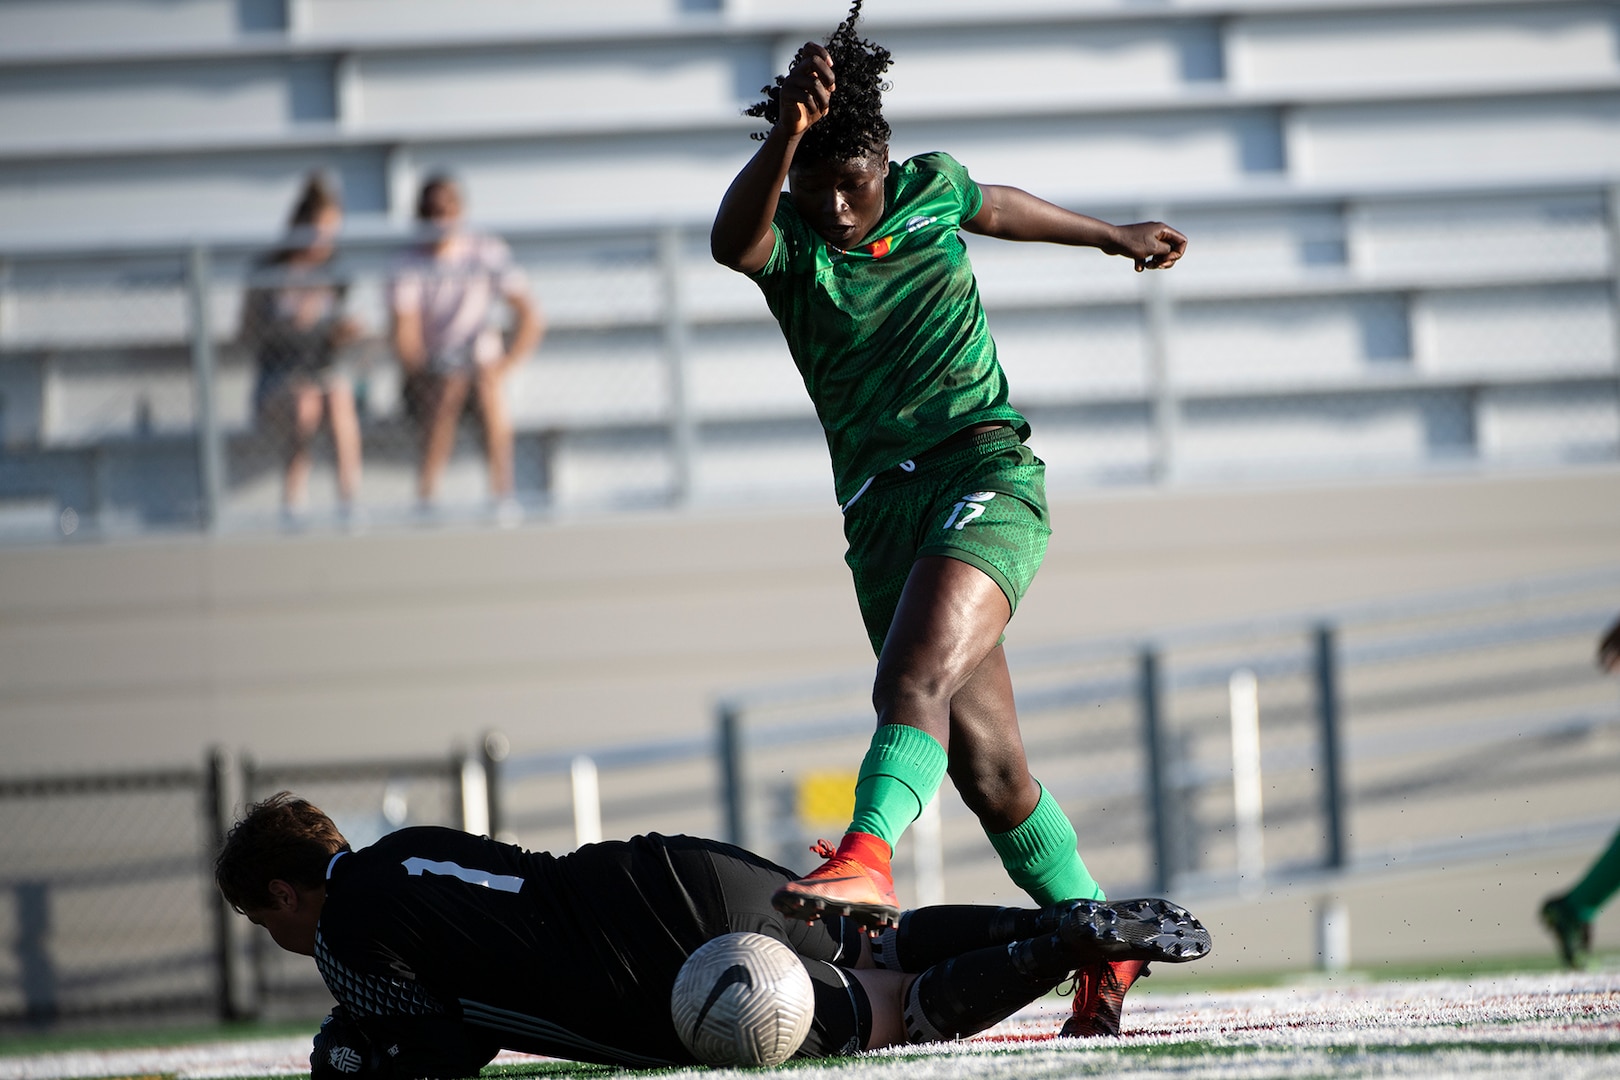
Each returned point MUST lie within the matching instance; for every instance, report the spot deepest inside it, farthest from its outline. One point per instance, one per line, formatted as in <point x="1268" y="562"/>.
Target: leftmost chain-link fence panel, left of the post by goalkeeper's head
<point x="108" y="891"/>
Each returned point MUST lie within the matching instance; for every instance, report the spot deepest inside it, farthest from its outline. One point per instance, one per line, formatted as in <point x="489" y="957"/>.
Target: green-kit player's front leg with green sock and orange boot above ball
<point x="950" y="618"/>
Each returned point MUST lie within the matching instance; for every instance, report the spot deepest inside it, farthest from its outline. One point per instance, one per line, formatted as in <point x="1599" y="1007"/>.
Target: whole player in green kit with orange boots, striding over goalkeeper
<point x="944" y="504"/>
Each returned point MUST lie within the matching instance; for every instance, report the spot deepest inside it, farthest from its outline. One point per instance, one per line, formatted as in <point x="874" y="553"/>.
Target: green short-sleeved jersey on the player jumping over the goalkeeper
<point x="890" y="336"/>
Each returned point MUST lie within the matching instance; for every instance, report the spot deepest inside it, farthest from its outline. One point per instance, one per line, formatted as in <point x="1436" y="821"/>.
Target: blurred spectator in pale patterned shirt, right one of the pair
<point x="453" y="354"/>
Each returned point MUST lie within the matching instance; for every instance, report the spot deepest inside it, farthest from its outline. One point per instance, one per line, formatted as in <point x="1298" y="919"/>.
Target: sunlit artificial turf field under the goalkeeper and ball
<point x="1503" y="1026"/>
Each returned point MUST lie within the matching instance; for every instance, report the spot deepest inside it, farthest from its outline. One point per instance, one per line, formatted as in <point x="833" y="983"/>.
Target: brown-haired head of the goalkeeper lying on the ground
<point x="284" y="838"/>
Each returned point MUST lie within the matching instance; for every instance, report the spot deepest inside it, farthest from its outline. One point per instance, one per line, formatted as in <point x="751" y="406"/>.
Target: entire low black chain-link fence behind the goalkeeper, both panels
<point x="108" y="901"/>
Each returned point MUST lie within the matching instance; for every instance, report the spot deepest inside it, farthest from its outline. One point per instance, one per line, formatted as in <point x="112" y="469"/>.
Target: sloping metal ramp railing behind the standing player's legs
<point x="1360" y="712"/>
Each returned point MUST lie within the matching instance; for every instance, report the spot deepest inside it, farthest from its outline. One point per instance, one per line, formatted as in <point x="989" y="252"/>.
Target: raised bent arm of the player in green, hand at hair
<point x="741" y="237"/>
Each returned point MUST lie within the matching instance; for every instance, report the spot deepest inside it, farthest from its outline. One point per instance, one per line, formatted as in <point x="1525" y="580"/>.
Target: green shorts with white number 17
<point x="983" y="501"/>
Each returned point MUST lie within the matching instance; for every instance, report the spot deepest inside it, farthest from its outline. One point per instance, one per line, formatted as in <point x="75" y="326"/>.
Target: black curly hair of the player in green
<point x="855" y="124"/>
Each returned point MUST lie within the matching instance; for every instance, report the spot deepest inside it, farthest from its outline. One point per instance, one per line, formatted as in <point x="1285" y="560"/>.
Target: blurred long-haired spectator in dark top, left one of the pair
<point x="294" y="323"/>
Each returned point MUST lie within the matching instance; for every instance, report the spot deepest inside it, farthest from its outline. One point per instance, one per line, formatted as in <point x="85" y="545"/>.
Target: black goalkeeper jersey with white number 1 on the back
<point x="458" y="945"/>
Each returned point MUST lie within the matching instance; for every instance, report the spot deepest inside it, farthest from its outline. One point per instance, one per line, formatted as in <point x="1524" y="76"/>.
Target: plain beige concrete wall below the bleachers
<point x="608" y="631"/>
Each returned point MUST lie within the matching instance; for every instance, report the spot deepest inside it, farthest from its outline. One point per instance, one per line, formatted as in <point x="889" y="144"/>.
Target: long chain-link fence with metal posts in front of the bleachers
<point x="1300" y="339"/>
